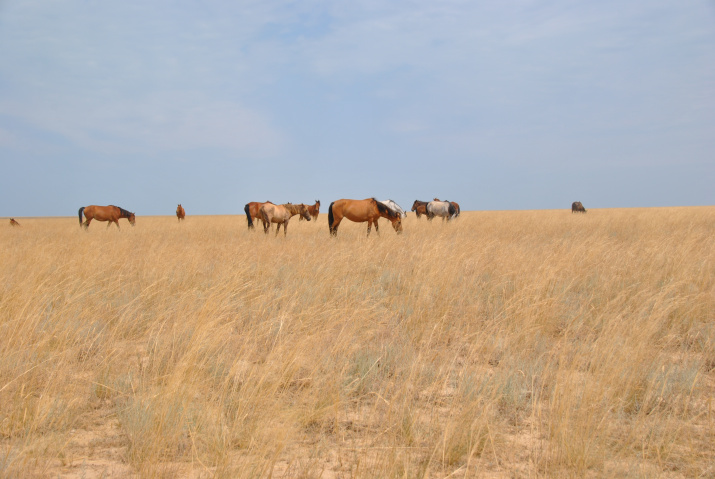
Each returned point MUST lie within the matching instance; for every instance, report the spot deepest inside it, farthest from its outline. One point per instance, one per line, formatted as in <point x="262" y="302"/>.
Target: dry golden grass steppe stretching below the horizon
<point x="504" y="344"/>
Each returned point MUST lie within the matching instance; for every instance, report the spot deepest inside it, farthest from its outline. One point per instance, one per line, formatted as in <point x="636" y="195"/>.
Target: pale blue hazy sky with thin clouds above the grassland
<point x="495" y="105"/>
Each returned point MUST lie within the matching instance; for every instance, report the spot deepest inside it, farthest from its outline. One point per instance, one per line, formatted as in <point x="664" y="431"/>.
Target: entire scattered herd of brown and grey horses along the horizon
<point x="369" y="210"/>
